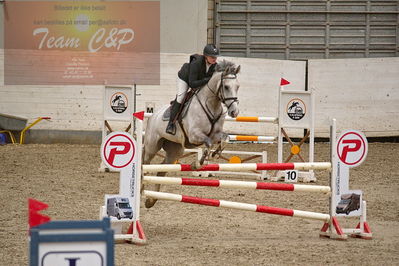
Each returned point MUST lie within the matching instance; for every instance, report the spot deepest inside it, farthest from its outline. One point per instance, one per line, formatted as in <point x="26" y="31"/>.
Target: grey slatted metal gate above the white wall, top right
<point x="307" y="29"/>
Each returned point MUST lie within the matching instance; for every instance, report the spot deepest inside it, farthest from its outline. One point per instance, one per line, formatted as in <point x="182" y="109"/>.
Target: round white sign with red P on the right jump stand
<point x="352" y="147"/>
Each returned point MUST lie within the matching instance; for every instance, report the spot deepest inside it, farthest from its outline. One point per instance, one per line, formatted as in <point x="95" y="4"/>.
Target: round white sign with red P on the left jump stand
<point x="118" y="150"/>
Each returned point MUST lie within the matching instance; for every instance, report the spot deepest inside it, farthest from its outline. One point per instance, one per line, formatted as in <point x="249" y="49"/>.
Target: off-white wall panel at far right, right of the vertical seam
<point x="361" y="94"/>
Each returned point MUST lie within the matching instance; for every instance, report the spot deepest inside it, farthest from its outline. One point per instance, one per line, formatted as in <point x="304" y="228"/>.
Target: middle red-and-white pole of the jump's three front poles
<point x="234" y="184"/>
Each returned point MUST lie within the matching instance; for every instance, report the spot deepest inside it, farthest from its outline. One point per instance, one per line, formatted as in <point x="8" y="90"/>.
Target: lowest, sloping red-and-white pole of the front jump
<point x="237" y="205"/>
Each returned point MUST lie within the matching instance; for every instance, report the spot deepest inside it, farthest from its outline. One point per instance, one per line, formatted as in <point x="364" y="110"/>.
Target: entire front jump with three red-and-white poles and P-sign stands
<point x="338" y="168"/>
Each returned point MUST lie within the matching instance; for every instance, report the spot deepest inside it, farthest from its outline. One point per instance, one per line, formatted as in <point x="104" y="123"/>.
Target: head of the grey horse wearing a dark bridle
<point x="228" y="86"/>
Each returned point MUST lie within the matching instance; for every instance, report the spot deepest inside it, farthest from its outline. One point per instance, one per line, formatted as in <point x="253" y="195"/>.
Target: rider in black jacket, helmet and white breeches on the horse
<point x="192" y="75"/>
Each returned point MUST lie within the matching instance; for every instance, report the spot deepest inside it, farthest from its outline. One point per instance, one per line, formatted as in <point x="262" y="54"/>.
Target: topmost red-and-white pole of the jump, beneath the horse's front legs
<point x="237" y="167"/>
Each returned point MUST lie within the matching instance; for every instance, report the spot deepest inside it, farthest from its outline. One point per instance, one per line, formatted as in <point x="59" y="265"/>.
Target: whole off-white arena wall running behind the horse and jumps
<point x="360" y="93"/>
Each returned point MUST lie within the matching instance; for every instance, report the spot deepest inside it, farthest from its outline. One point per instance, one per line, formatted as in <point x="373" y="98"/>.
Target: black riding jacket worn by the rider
<point x="194" y="73"/>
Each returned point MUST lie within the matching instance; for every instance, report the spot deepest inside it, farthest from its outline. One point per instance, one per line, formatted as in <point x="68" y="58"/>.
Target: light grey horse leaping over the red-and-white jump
<point x="202" y="123"/>
